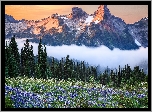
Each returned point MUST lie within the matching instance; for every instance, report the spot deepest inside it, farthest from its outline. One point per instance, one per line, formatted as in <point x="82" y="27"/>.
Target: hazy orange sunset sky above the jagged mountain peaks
<point x="129" y="13"/>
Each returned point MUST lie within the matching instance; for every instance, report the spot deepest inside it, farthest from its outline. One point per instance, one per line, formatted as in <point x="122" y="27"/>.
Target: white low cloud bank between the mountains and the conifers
<point x="102" y="55"/>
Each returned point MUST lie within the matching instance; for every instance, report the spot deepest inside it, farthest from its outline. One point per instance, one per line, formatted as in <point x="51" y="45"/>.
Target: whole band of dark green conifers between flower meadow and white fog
<point x="40" y="66"/>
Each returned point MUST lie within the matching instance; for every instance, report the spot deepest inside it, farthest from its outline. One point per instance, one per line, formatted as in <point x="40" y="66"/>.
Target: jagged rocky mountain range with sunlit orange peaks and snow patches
<point x="80" y="28"/>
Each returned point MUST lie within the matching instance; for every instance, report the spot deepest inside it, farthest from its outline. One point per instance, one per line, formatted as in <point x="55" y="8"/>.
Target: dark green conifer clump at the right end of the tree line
<point x="123" y="76"/>
